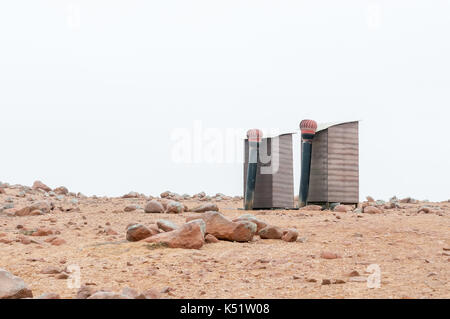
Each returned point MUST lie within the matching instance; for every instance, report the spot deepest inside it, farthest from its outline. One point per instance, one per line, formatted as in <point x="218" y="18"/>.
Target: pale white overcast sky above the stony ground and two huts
<point x="92" y="91"/>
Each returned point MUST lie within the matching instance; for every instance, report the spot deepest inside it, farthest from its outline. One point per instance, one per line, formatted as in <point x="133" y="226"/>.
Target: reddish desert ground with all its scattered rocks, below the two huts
<point x="182" y="246"/>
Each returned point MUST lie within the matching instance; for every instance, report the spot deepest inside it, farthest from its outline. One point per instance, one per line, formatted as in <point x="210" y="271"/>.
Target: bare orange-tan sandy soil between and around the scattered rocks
<point x="410" y="247"/>
